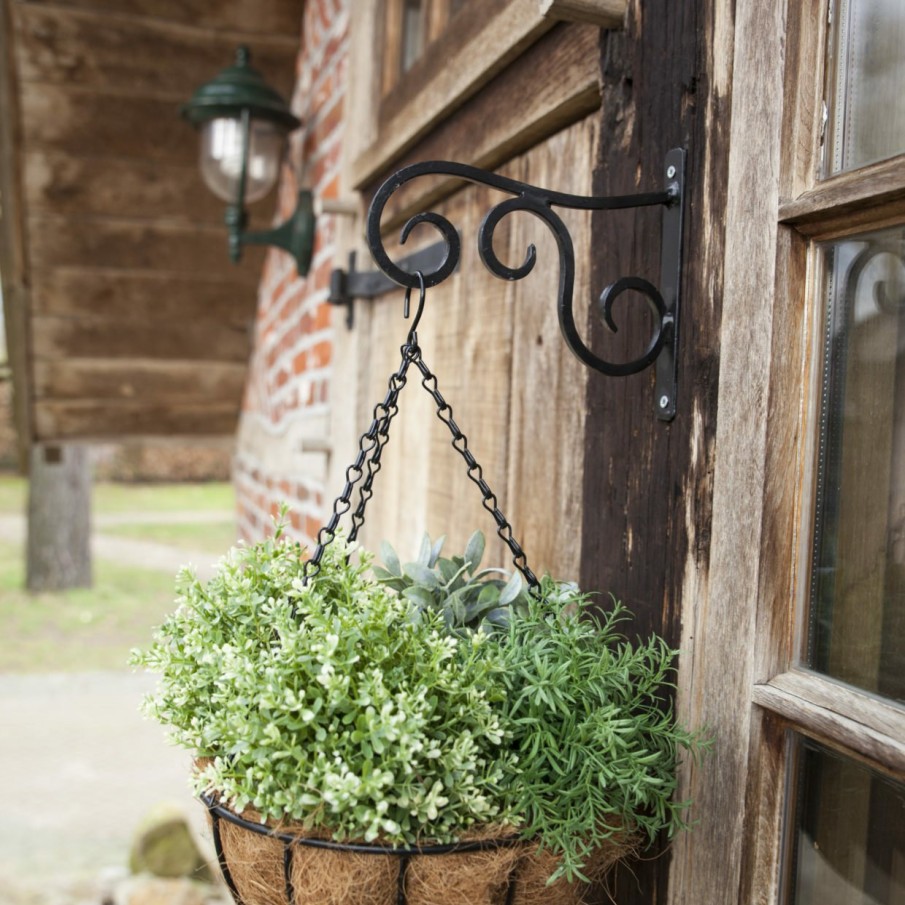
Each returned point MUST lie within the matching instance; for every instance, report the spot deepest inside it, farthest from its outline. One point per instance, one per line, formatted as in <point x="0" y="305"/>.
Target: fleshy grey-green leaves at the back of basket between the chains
<point x="466" y="596"/>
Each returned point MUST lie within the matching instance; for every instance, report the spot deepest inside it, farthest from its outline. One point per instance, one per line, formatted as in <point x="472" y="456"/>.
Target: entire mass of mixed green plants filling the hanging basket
<point x="359" y="705"/>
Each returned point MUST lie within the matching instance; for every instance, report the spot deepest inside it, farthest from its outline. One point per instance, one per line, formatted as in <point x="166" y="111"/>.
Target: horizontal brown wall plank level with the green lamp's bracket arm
<point x="62" y="242"/>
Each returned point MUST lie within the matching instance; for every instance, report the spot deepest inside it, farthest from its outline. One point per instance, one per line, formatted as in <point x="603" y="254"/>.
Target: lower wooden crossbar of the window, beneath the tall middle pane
<point x="839" y="715"/>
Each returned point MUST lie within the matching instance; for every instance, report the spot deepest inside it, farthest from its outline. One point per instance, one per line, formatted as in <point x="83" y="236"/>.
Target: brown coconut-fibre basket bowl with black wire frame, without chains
<point x="283" y="864"/>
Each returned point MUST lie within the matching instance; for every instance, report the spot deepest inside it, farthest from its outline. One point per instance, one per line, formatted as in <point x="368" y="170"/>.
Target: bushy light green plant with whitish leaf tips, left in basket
<point x="331" y="703"/>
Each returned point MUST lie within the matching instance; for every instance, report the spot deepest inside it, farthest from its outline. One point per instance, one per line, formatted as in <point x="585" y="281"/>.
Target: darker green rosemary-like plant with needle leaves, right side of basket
<point x="597" y="747"/>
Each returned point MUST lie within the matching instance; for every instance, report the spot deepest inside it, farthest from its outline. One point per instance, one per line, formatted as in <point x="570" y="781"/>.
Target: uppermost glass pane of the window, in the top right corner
<point x="866" y="74"/>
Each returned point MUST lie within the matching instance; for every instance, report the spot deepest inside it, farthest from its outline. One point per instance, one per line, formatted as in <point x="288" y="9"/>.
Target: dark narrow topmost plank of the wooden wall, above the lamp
<point x="264" y="17"/>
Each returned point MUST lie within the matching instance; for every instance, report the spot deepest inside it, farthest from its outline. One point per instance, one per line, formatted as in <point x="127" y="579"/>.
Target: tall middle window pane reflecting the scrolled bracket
<point x="857" y="617"/>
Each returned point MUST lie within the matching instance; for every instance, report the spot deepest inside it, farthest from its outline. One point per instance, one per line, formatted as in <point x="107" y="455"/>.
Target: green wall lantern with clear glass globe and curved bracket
<point x="243" y="124"/>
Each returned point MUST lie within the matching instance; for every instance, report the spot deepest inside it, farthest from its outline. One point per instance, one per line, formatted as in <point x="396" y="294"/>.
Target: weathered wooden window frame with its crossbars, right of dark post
<point x="748" y="641"/>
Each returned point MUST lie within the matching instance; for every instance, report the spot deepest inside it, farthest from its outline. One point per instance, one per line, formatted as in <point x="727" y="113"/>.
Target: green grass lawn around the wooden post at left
<point x="94" y="628"/>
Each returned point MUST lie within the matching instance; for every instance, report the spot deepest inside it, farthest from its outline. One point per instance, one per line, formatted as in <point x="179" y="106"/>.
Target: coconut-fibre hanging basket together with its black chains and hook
<point x="284" y="864"/>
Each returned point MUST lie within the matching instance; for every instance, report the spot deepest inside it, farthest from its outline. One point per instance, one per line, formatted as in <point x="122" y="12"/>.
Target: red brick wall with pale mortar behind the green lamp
<point x="286" y="409"/>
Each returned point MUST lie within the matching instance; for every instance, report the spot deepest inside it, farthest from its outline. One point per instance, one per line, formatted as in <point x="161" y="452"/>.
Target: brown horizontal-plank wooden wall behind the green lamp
<point x="136" y="324"/>
